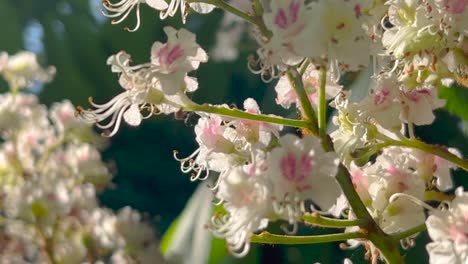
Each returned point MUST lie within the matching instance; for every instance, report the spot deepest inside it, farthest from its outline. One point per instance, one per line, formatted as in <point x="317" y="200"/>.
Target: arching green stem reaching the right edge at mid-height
<point x="437" y="150"/>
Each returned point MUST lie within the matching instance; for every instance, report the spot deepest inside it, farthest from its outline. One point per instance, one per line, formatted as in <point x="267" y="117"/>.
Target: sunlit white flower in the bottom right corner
<point x="448" y="228"/>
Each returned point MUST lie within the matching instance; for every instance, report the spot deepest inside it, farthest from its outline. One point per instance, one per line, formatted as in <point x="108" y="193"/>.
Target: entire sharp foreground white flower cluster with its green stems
<point x="261" y="172"/>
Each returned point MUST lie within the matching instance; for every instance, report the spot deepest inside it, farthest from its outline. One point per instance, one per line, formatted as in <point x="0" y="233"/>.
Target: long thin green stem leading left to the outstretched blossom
<point x="206" y="108"/>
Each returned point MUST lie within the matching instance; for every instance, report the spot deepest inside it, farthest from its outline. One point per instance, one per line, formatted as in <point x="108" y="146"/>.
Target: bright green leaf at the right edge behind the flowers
<point x="457" y="100"/>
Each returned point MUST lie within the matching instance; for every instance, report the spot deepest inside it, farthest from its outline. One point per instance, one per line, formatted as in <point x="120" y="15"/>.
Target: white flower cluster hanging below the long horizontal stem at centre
<point x="261" y="176"/>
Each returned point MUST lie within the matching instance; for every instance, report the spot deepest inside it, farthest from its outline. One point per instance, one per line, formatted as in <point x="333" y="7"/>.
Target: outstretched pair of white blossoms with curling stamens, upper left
<point x="155" y="87"/>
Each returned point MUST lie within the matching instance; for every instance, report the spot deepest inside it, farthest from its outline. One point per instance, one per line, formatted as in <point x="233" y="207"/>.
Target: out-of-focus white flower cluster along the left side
<point x="50" y="173"/>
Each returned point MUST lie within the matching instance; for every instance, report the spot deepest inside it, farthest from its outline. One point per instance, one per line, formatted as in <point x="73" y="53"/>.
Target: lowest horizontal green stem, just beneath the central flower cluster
<point x="267" y="238"/>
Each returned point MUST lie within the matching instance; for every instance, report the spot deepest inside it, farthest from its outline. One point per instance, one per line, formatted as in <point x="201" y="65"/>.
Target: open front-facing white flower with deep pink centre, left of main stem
<point x="301" y="170"/>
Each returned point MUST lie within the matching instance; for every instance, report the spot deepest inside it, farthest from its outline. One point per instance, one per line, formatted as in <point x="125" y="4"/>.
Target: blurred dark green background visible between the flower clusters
<point x="77" y="39"/>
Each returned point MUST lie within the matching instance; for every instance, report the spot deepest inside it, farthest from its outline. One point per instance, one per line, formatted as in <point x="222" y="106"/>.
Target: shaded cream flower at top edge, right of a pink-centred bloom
<point x="336" y="28"/>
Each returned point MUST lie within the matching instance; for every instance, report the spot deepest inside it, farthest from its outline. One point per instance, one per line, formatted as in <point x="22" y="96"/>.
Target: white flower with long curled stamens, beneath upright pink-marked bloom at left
<point x="143" y="95"/>
